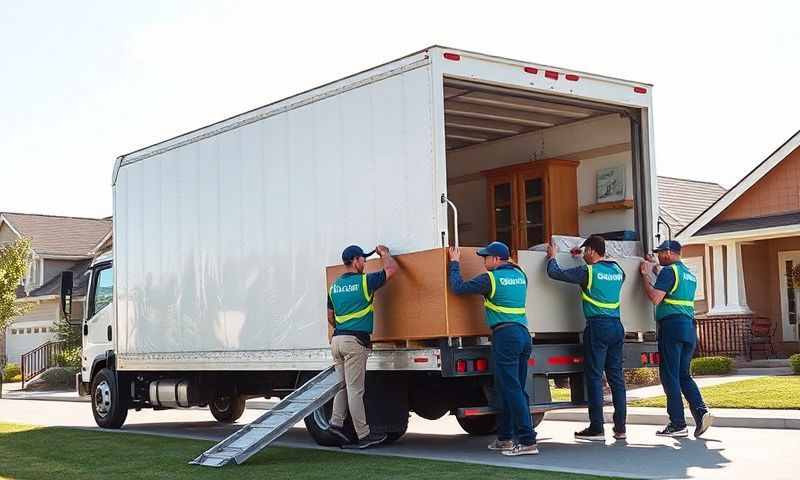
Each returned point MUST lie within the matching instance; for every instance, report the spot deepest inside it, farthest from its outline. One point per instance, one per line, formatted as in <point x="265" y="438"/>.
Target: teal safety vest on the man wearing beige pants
<point x="352" y="303"/>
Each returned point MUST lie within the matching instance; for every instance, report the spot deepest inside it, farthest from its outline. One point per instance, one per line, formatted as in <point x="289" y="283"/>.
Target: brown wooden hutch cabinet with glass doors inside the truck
<point x="531" y="201"/>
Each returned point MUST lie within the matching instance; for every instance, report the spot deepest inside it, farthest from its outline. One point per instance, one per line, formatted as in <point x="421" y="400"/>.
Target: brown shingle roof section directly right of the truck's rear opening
<point x="682" y="200"/>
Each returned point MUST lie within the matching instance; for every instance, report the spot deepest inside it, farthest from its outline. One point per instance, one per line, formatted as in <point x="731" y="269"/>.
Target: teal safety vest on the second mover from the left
<point x="506" y="301"/>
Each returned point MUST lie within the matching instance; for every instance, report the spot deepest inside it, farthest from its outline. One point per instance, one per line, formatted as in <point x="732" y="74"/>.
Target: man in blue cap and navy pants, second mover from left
<point x="504" y="287"/>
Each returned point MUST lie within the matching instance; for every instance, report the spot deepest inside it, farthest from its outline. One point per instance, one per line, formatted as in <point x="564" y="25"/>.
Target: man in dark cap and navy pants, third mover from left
<point x="603" y="337"/>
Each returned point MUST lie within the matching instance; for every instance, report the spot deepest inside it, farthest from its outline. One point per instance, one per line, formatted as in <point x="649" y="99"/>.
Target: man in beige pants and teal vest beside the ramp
<point x="350" y="313"/>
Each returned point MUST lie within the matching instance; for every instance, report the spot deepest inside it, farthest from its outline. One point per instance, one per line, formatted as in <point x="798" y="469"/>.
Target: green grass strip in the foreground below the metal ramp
<point x="61" y="453"/>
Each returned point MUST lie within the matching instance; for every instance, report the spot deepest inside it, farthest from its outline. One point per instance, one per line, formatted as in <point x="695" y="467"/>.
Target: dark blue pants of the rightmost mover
<point x="677" y="339"/>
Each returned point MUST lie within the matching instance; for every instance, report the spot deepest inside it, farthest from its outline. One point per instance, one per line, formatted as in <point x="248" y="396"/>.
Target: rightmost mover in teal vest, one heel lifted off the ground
<point x="673" y="295"/>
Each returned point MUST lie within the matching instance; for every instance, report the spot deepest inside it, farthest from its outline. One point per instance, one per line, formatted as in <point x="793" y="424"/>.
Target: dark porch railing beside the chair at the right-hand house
<point x="723" y="336"/>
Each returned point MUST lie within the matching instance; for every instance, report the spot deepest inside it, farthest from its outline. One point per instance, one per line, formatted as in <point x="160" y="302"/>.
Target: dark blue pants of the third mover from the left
<point x="603" y="339"/>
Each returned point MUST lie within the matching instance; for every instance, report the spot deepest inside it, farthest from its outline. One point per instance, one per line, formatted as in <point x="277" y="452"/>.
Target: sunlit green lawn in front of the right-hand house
<point x="767" y="392"/>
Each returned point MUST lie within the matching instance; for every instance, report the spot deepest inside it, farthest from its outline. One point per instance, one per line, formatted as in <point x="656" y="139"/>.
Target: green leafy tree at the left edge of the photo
<point x="13" y="266"/>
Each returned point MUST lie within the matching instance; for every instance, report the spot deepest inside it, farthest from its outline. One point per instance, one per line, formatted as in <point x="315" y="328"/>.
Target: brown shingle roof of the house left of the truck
<point x="53" y="235"/>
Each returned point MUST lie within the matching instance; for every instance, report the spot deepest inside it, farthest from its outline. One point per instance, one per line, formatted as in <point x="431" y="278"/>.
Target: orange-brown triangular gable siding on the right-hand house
<point x="777" y="192"/>
